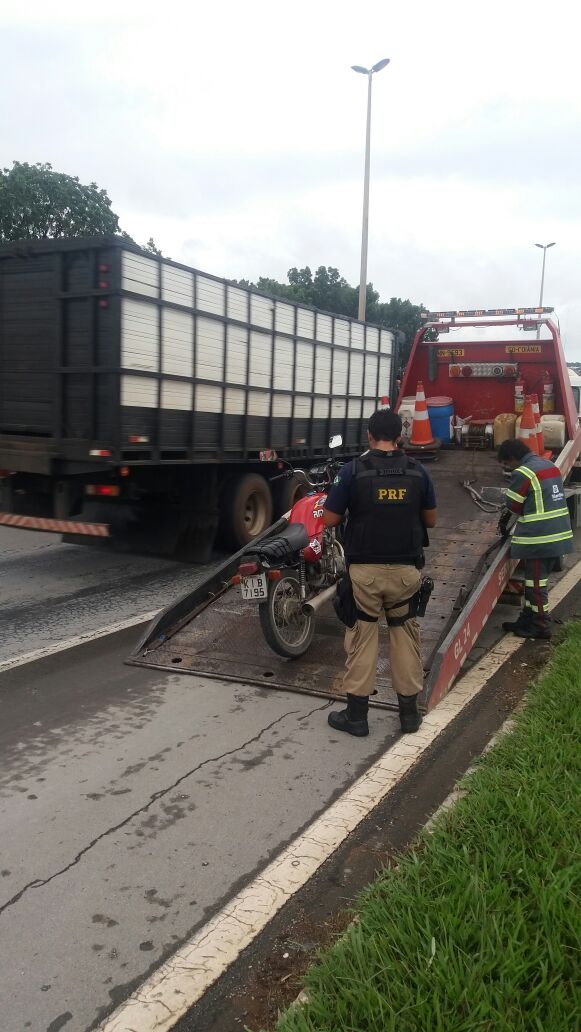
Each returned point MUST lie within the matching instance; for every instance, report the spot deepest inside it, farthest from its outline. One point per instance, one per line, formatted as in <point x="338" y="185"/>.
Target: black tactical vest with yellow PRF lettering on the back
<point x="385" y="503"/>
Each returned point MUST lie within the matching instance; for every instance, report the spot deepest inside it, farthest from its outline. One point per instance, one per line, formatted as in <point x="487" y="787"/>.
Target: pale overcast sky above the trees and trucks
<point x="234" y="135"/>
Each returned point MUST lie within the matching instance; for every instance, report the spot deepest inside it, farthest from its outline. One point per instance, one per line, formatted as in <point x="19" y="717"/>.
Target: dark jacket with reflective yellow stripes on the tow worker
<point x="543" y="529"/>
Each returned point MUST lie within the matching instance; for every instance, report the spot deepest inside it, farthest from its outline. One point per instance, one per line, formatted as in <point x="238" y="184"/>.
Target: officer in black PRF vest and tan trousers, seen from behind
<point x="391" y="501"/>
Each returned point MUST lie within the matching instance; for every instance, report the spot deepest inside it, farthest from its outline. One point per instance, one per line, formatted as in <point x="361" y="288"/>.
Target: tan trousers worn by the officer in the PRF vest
<point x="380" y="588"/>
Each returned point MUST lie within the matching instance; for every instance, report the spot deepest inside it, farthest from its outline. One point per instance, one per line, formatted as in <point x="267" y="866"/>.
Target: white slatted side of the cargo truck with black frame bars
<point x="278" y="372"/>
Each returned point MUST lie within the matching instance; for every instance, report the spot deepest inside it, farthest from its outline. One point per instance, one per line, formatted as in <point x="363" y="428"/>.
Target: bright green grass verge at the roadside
<point x="478" y="928"/>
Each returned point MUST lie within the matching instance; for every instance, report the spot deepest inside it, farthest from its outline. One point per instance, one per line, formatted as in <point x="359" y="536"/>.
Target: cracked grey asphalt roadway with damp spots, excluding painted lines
<point x="133" y="803"/>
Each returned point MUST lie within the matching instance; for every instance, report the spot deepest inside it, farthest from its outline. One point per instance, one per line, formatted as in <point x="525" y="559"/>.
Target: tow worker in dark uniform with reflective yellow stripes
<point x="542" y="533"/>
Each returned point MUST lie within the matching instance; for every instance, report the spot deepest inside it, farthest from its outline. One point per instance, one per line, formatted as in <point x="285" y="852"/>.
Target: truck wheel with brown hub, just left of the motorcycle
<point x="246" y="510"/>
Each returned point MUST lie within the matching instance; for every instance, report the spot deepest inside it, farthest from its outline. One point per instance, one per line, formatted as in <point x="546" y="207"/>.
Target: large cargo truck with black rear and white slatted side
<point x="137" y="397"/>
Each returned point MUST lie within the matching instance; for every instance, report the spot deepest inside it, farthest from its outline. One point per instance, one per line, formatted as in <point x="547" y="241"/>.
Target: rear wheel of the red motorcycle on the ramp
<point x="287" y="630"/>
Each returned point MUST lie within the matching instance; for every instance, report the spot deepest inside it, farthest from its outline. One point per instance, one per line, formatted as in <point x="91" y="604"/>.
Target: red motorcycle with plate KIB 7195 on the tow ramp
<point x="293" y="575"/>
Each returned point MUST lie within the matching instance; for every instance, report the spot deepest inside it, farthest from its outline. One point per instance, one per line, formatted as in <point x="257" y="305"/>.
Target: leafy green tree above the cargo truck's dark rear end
<point x="39" y="204"/>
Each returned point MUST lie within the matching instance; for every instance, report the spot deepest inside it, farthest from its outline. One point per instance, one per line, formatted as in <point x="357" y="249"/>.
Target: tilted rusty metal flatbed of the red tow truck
<point x="217" y="635"/>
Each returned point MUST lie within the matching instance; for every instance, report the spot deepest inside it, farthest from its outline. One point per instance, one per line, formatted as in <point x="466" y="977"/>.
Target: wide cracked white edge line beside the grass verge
<point x="170" y="993"/>
